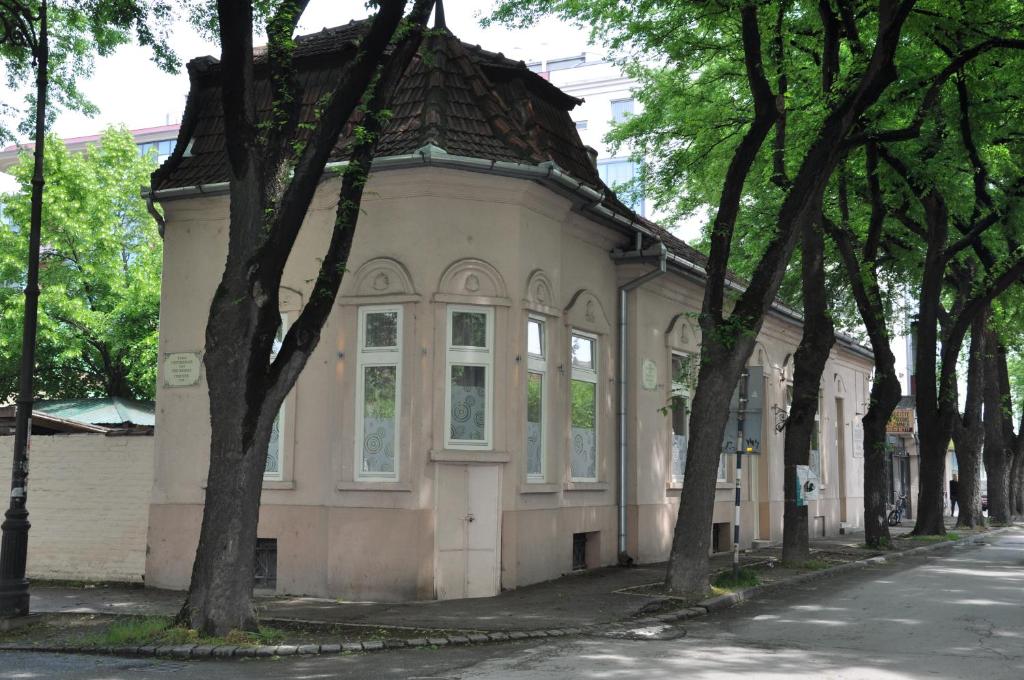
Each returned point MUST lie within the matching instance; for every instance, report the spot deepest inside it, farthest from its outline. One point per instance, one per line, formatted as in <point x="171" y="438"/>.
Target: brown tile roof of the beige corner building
<point x="460" y="98"/>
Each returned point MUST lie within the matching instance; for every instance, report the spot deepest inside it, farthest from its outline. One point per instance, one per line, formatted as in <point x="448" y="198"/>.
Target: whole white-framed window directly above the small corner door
<point x="470" y="377"/>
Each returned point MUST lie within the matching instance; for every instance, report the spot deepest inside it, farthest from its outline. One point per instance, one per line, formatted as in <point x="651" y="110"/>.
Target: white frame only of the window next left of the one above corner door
<point x="377" y="357"/>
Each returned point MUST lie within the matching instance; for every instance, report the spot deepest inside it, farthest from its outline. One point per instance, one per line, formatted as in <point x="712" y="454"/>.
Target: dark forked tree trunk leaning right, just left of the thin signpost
<point x="727" y="343"/>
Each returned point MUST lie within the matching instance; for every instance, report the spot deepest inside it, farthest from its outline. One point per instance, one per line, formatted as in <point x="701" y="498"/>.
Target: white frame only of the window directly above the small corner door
<point x="480" y="357"/>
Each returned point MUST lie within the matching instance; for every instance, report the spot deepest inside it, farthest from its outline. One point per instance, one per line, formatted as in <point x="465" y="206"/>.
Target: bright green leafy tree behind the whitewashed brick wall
<point x="100" y="274"/>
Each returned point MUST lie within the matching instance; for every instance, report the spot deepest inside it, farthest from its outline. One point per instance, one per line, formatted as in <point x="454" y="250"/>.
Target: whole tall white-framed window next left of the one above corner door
<point x="378" y="394"/>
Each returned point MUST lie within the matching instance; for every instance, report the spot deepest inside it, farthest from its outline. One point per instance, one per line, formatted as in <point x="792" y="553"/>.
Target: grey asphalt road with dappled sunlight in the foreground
<point x="957" y="615"/>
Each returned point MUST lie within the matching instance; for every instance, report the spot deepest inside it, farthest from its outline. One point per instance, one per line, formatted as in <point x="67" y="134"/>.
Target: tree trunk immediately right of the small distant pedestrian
<point x="969" y="433"/>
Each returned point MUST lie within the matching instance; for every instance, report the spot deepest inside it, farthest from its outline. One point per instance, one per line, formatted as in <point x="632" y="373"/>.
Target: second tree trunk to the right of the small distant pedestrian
<point x="996" y="454"/>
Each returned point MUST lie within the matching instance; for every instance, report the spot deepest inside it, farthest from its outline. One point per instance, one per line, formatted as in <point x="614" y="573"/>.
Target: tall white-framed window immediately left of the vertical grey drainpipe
<point x="583" y="393"/>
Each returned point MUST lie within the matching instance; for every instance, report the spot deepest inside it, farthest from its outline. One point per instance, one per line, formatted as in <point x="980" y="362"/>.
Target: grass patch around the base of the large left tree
<point x="162" y="631"/>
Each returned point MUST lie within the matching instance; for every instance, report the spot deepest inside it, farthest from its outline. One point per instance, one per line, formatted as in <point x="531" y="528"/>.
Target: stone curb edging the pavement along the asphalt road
<point x="192" y="652"/>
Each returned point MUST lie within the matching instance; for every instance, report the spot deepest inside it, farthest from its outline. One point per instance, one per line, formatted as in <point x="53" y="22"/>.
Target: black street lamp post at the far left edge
<point x="15" y="545"/>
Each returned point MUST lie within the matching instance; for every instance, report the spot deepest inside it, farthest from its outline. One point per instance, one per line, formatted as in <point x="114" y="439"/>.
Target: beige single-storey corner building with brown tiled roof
<point x="486" y="406"/>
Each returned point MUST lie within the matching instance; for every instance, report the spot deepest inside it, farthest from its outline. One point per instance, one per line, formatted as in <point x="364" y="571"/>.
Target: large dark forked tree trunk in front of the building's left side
<point x="273" y="183"/>
